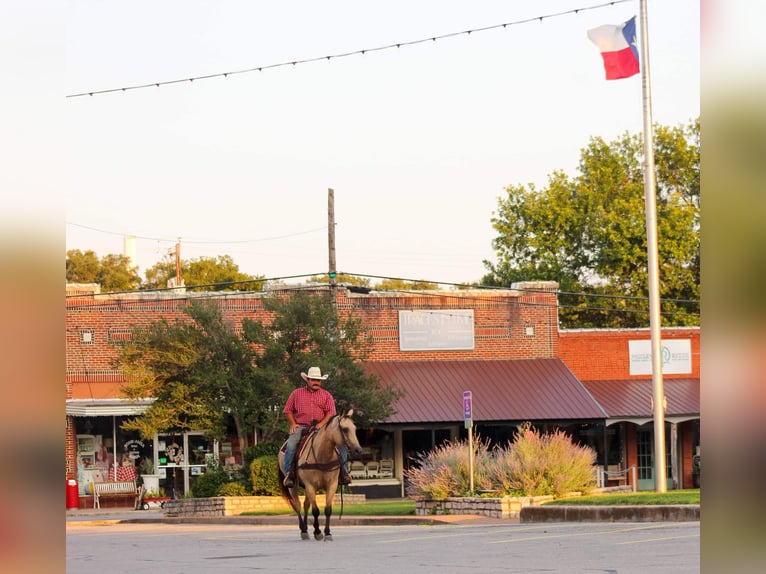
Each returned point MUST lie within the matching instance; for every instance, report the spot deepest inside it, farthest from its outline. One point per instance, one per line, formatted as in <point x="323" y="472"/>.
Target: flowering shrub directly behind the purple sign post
<point x="444" y="471"/>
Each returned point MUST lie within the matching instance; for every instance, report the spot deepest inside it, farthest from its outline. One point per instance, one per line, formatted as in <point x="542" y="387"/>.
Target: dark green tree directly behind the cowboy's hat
<point x="306" y="331"/>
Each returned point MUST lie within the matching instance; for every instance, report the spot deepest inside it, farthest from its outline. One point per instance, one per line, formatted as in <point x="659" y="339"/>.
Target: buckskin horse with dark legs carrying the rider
<point x="318" y="467"/>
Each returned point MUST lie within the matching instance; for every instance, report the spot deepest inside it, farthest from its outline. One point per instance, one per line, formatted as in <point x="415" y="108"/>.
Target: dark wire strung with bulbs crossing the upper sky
<point x="347" y="54"/>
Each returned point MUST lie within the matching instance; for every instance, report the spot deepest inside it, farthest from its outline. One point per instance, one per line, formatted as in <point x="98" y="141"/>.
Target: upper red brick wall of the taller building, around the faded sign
<point x="96" y="326"/>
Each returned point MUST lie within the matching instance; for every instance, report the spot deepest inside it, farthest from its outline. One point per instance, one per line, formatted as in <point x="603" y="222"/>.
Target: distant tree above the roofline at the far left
<point x="112" y="272"/>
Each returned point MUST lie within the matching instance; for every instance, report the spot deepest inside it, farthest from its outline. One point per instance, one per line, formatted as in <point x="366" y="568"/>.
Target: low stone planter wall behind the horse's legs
<point x="236" y="505"/>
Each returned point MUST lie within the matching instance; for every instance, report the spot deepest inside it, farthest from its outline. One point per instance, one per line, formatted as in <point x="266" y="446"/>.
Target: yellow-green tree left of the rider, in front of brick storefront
<point x="198" y="371"/>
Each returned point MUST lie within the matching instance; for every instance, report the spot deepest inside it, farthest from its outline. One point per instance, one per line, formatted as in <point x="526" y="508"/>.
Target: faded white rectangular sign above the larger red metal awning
<point x="443" y="330"/>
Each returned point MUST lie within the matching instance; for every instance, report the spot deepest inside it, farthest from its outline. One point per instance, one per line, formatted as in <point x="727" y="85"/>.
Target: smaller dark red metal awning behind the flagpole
<point x="633" y="397"/>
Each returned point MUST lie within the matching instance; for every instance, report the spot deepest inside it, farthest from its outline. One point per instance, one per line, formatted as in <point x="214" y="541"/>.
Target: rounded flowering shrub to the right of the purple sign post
<point x="542" y="464"/>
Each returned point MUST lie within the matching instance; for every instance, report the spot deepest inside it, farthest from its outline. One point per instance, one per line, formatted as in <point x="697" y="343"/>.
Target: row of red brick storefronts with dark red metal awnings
<point x="502" y="345"/>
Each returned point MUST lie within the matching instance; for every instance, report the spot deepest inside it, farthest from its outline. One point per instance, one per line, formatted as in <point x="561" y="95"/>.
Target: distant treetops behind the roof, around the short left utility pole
<point x="209" y="273"/>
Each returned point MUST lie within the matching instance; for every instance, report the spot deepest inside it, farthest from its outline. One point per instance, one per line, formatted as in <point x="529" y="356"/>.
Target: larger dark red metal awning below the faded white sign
<point x="528" y="389"/>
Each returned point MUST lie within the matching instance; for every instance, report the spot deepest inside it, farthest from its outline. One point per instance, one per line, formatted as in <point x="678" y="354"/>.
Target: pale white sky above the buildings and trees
<point x="417" y="142"/>
